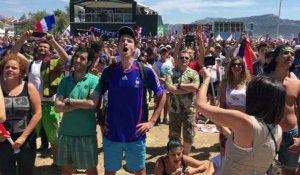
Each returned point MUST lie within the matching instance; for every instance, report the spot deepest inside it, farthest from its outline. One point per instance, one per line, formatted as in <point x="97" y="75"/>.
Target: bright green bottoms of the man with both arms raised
<point x="50" y="121"/>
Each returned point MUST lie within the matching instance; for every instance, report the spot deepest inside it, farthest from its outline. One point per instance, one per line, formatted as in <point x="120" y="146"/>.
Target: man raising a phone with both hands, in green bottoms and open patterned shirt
<point x="45" y="73"/>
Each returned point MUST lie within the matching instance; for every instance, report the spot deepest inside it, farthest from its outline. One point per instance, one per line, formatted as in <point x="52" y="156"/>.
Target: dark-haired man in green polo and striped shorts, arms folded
<point x="77" y="97"/>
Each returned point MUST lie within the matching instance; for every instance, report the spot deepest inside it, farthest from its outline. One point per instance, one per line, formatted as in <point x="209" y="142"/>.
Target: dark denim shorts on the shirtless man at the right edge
<point x="288" y="159"/>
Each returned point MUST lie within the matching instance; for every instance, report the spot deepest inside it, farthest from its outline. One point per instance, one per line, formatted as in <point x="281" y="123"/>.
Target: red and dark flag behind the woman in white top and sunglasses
<point x="245" y="53"/>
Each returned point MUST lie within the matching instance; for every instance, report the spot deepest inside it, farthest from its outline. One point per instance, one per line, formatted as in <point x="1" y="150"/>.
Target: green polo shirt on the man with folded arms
<point x="80" y="122"/>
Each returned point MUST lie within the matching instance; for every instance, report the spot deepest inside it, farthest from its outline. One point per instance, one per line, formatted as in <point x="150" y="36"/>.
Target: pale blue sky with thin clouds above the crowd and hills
<point x="175" y="11"/>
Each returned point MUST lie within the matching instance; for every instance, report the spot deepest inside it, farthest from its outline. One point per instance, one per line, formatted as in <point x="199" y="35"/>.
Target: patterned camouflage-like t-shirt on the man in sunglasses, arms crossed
<point x="182" y="103"/>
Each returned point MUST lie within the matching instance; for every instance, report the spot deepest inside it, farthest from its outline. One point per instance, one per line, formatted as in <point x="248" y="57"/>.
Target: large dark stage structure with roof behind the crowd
<point x="110" y="15"/>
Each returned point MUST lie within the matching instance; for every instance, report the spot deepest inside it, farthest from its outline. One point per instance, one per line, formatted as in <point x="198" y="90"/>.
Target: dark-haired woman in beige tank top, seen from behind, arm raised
<point x="250" y="149"/>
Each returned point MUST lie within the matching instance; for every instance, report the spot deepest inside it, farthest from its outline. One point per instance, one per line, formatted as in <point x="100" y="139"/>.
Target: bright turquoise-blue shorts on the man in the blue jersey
<point x="135" y="155"/>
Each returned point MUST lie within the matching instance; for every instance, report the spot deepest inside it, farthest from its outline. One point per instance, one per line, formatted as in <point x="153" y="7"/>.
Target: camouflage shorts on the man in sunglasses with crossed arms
<point x="184" y="121"/>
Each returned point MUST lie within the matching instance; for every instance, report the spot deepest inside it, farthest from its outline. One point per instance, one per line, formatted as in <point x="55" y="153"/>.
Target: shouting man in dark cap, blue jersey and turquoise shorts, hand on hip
<point x="125" y="130"/>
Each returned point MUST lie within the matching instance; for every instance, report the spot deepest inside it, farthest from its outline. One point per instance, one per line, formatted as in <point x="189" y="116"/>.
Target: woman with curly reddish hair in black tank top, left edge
<point x="23" y="111"/>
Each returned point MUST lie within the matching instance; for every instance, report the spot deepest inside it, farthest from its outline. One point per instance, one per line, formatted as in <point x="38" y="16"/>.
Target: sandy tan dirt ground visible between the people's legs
<point x="205" y="146"/>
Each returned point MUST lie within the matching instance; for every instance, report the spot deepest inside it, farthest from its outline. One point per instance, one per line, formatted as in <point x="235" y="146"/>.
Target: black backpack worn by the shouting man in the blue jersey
<point x="102" y="112"/>
